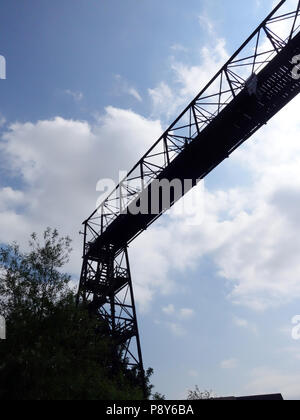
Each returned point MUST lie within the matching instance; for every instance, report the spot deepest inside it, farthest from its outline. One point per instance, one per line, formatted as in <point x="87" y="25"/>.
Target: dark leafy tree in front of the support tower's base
<point x="52" y="351"/>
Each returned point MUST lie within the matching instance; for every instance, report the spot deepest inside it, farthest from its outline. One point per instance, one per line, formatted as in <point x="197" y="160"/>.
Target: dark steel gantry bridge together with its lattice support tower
<point x="254" y="85"/>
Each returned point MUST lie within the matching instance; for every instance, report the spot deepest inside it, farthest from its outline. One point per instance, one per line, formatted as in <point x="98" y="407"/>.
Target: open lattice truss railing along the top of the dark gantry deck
<point x="270" y="38"/>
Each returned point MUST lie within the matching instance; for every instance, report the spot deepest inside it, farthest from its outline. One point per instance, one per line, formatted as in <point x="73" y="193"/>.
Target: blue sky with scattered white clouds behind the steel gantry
<point x="89" y="86"/>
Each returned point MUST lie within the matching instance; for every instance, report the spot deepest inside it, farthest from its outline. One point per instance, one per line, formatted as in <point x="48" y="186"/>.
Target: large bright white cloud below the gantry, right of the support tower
<point x="251" y="232"/>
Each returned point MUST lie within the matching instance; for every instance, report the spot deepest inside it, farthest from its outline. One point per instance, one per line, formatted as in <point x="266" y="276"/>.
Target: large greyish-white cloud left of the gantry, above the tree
<point x="60" y="162"/>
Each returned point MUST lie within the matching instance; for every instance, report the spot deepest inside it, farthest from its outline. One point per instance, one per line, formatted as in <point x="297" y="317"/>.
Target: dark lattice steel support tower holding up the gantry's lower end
<point x="106" y="287"/>
